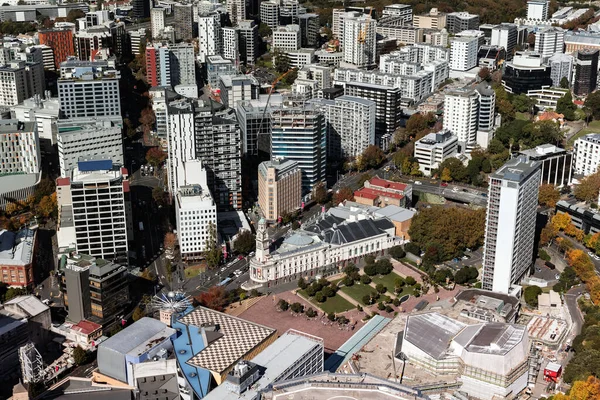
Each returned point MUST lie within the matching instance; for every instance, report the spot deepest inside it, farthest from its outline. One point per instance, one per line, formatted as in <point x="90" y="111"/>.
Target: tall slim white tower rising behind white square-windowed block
<point x="181" y="146"/>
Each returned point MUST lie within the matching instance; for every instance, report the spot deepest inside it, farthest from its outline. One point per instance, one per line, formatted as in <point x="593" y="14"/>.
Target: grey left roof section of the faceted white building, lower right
<point x="432" y="332"/>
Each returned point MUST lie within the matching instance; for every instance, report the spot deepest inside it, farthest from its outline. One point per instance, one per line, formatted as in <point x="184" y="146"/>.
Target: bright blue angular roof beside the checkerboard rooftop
<point x="188" y="343"/>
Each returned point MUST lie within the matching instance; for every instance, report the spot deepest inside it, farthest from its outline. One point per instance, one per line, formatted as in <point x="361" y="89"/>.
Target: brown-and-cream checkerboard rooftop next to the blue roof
<point x="233" y="338"/>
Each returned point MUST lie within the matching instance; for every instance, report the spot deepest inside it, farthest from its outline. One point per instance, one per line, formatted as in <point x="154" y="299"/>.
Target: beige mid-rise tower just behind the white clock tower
<point x="279" y="188"/>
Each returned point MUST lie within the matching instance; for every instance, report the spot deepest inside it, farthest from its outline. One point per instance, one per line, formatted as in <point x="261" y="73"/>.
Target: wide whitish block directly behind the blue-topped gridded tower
<point x="89" y="138"/>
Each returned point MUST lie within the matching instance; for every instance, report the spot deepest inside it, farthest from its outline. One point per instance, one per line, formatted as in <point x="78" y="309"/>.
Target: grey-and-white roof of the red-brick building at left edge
<point x="16" y="249"/>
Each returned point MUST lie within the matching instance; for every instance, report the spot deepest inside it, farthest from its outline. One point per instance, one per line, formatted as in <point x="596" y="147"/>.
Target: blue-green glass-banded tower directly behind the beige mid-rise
<point x="299" y="133"/>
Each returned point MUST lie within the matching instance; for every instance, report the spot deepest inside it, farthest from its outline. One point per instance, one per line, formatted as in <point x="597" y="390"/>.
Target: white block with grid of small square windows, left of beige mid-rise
<point x="196" y="212"/>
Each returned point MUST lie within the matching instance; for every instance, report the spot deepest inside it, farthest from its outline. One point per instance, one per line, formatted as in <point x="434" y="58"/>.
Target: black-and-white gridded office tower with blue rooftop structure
<point x="94" y="210"/>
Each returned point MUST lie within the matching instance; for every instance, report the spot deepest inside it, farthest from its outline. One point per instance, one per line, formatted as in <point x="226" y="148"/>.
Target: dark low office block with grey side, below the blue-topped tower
<point x="95" y="289"/>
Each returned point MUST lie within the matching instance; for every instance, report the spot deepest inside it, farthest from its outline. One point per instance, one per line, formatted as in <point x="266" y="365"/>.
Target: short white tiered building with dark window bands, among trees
<point x="433" y="149"/>
